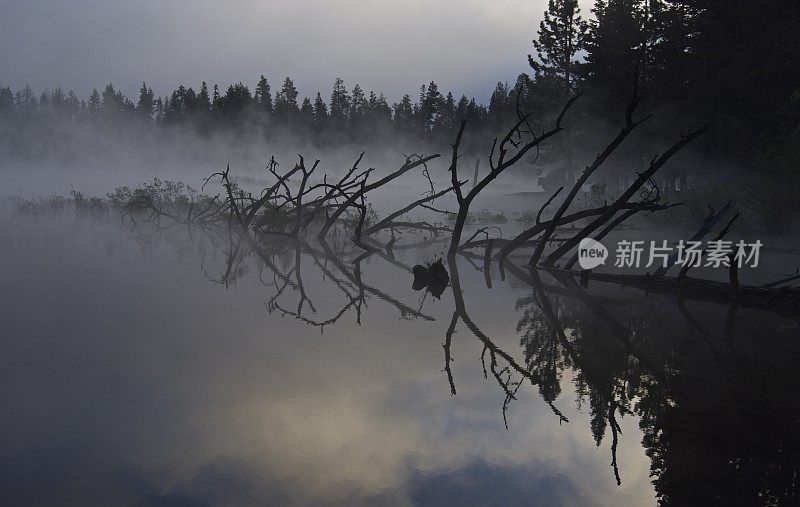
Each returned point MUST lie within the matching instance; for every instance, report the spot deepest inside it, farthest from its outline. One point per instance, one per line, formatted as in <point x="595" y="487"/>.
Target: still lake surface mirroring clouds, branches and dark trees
<point x="139" y="373"/>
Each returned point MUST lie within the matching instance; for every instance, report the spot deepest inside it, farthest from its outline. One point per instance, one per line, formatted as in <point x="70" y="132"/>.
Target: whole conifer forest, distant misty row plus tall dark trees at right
<point x="737" y="63"/>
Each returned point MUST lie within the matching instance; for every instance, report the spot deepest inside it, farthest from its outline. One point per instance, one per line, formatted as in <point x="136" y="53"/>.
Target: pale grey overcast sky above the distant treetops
<point x="464" y="45"/>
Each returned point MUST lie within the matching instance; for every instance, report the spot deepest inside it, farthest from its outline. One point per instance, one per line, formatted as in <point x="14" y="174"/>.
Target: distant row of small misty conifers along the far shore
<point x="352" y="112"/>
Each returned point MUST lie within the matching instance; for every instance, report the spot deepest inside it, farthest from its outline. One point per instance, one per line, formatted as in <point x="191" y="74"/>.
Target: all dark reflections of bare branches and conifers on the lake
<point x="712" y="386"/>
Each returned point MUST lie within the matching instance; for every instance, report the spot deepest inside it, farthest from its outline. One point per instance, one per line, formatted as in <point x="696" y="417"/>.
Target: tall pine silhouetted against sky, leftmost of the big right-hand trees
<point x="562" y="34"/>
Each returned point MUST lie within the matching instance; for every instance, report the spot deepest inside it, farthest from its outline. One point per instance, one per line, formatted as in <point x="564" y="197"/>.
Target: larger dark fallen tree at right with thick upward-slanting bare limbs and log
<point x="641" y="196"/>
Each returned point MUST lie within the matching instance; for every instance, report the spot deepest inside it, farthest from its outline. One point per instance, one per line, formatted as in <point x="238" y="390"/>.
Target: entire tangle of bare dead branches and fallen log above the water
<point x="299" y="205"/>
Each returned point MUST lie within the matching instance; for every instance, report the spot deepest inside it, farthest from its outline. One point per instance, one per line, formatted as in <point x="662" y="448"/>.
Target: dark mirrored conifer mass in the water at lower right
<point x="719" y="413"/>
